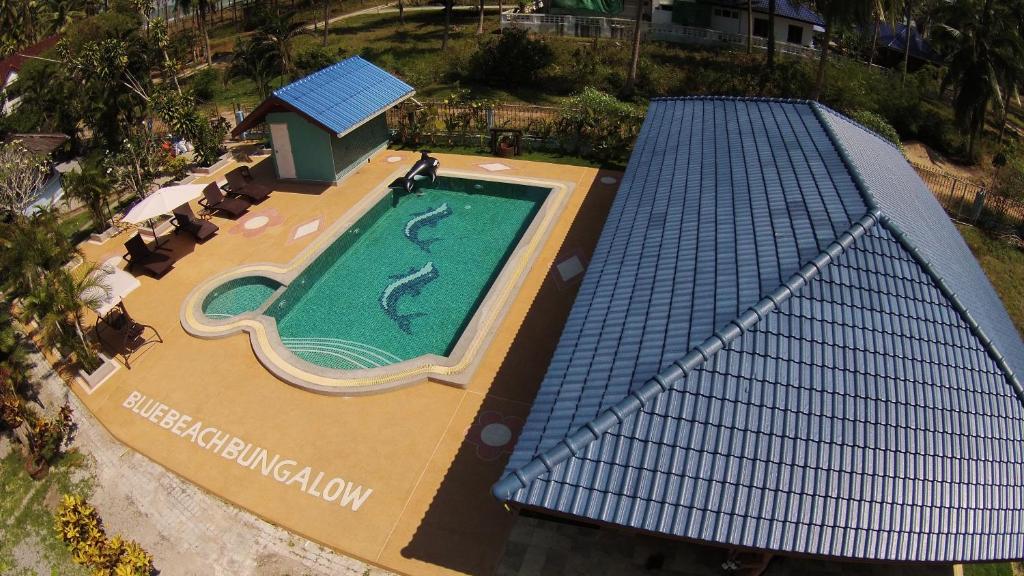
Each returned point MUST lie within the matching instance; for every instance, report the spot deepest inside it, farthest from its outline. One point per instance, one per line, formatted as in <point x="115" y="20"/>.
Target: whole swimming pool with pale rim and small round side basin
<point x="392" y="294"/>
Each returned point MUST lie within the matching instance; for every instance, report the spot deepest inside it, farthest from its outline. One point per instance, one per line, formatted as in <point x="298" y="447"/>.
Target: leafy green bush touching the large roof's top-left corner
<point x="599" y="126"/>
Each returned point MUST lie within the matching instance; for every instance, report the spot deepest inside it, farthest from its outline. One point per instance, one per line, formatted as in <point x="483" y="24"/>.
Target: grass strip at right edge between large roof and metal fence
<point x="1005" y="266"/>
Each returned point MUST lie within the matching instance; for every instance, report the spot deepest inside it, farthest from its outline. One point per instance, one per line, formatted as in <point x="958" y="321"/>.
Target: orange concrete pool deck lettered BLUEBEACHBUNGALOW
<point x="401" y="479"/>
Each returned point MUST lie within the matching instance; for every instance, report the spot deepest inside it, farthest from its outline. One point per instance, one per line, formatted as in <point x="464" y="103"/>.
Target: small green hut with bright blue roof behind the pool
<point x="326" y="125"/>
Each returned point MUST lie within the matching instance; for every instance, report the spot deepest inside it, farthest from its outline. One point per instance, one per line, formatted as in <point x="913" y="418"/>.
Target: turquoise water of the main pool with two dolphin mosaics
<point x="406" y="279"/>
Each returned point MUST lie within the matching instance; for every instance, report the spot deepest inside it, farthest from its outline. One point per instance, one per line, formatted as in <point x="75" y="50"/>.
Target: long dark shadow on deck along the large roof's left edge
<point x="465" y="527"/>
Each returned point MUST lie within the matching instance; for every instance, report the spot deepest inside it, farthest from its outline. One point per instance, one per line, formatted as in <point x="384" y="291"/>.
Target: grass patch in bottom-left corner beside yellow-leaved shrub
<point x="27" y="518"/>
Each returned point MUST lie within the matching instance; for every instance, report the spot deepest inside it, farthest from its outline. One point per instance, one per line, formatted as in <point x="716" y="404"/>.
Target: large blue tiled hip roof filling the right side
<point x="782" y="344"/>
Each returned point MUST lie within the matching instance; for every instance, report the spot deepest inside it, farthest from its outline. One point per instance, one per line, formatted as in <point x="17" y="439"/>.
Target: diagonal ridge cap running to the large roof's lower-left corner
<point x="664" y="381"/>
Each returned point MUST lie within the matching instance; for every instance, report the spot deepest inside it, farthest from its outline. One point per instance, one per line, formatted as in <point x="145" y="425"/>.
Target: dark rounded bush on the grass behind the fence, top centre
<point x="513" y="60"/>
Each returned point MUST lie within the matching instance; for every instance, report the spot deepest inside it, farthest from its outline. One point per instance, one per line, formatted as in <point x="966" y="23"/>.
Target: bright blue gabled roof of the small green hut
<point x="339" y="98"/>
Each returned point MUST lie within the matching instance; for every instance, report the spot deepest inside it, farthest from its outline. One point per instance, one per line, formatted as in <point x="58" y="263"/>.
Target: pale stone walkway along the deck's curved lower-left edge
<point x="189" y="531"/>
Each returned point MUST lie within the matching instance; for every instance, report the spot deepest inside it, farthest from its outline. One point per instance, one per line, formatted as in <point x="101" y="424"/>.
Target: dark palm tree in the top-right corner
<point x="987" y="57"/>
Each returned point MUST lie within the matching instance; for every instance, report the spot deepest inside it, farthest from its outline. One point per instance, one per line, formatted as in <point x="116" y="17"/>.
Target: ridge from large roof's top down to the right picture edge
<point x="923" y="262"/>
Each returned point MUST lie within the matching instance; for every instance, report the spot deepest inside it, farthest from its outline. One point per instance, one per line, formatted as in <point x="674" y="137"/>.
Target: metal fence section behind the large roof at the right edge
<point x="970" y="202"/>
